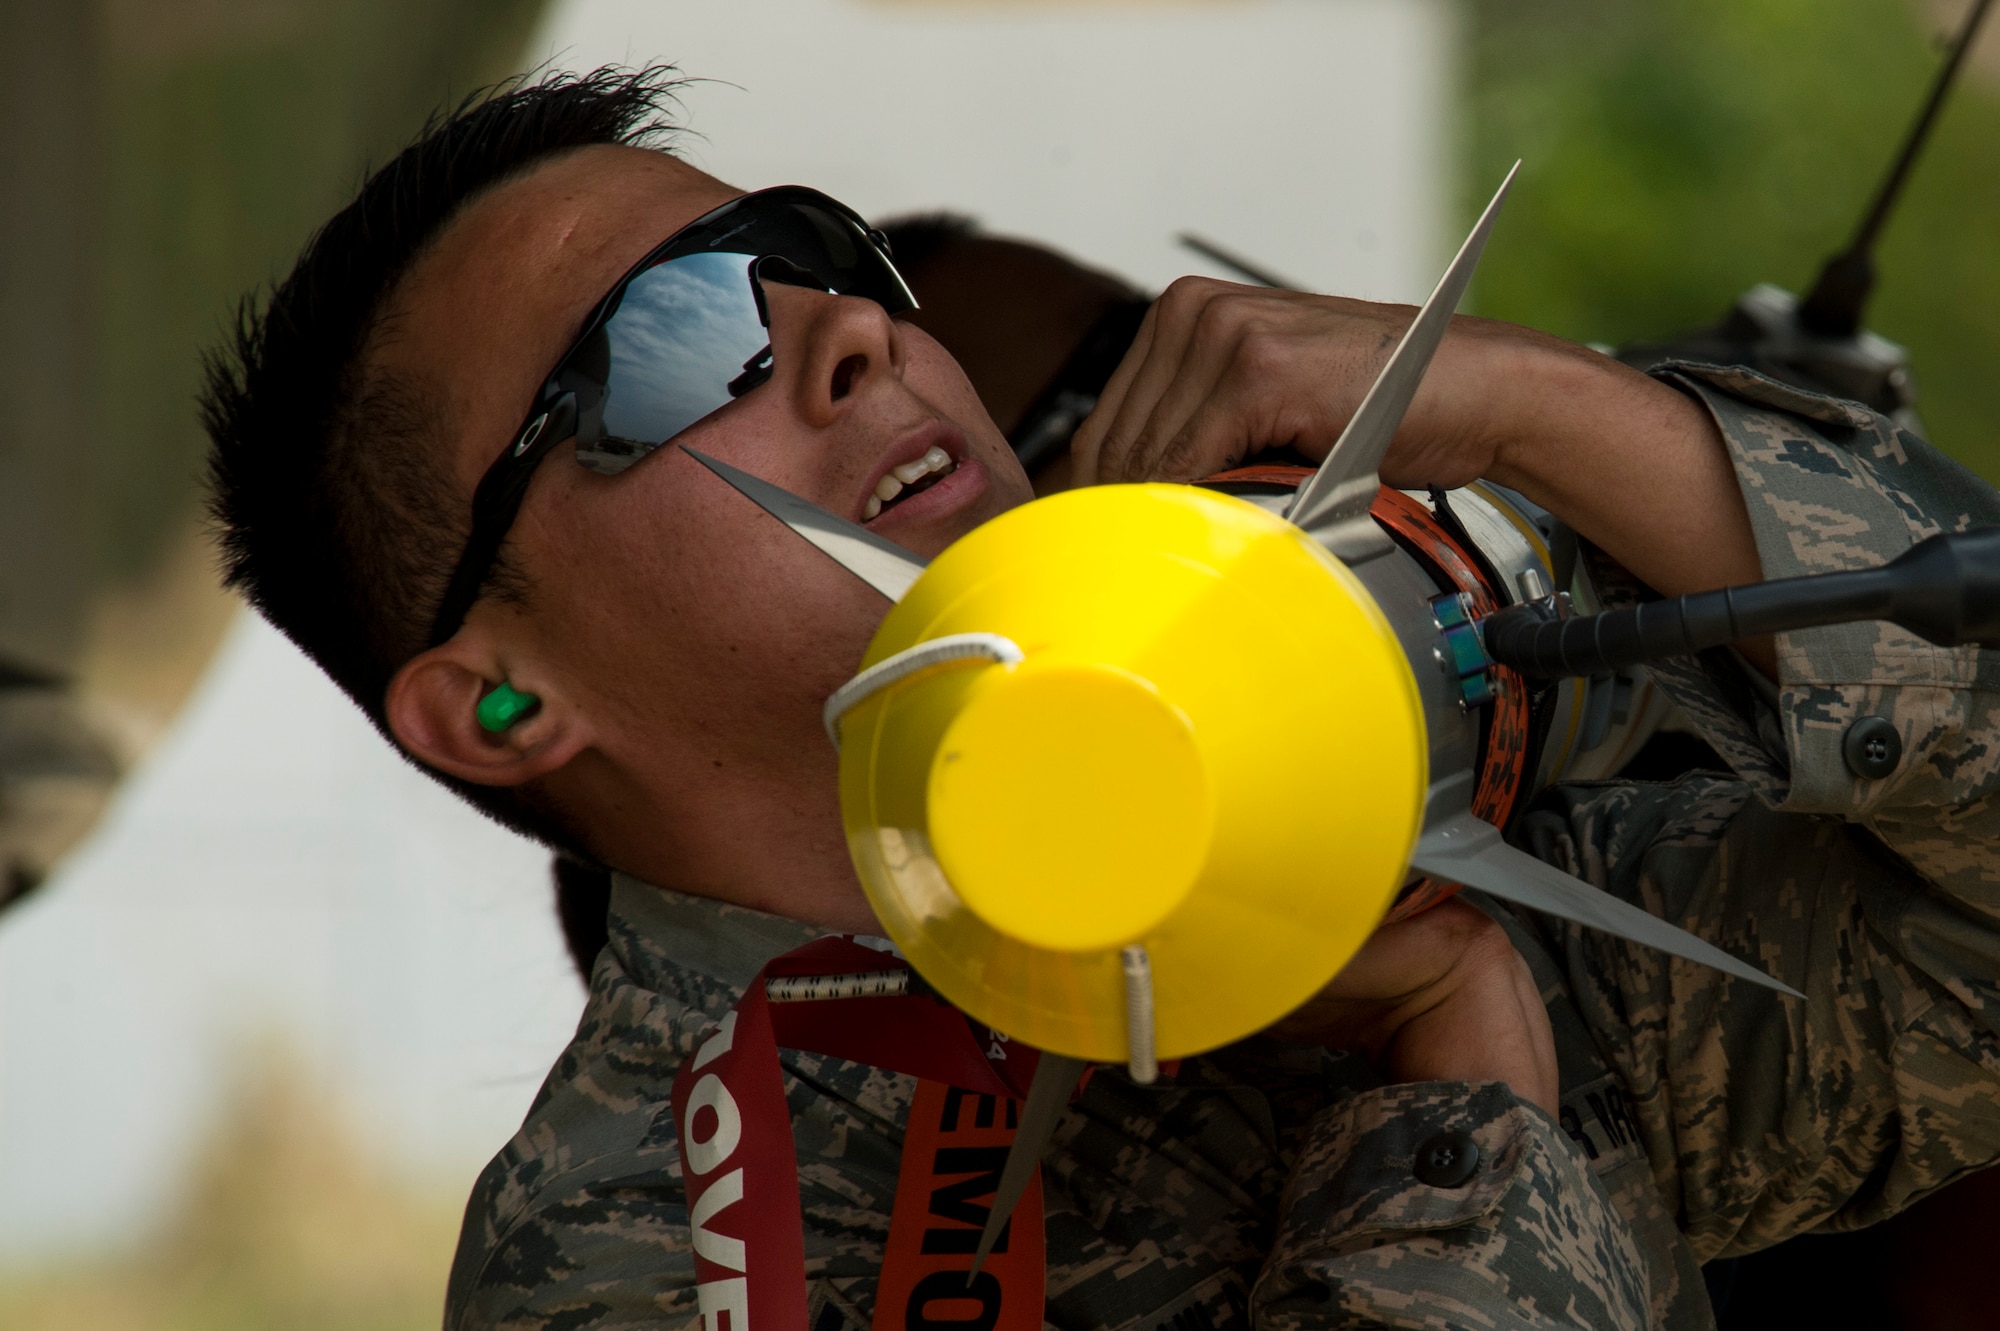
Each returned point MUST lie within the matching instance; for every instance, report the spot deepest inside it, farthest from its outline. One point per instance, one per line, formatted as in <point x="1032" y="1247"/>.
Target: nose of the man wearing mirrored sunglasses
<point x="829" y="349"/>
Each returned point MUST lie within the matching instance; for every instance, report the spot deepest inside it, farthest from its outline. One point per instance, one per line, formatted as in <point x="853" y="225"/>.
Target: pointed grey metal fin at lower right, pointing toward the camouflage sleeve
<point x="1469" y="850"/>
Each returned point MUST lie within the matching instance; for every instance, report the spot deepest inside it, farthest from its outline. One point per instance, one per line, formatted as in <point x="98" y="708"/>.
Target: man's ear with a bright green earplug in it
<point x="433" y="710"/>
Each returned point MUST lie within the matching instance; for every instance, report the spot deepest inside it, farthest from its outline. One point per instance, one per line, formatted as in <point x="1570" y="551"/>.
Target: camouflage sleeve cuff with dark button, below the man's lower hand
<point x="1527" y="1240"/>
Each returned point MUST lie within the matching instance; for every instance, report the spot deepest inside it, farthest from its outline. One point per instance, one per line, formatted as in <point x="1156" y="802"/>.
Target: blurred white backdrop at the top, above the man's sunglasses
<point x="1309" y="135"/>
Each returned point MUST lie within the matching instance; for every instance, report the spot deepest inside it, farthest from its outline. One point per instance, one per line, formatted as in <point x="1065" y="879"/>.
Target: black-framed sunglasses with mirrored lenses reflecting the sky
<point x="681" y="337"/>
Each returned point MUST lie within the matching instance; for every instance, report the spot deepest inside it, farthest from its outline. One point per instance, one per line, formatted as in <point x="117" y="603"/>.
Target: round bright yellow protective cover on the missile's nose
<point x="1213" y="748"/>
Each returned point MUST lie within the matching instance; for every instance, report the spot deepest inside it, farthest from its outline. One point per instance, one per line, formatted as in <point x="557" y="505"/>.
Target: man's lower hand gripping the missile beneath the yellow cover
<point x="1441" y="996"/>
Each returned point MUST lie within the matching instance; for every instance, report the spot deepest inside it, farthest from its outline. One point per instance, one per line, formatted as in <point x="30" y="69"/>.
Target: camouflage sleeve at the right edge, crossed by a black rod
<point x="1879" y="898"/>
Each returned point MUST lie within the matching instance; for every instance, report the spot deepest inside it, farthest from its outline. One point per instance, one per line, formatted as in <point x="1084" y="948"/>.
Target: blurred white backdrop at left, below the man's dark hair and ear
<point x="273" y="874"/>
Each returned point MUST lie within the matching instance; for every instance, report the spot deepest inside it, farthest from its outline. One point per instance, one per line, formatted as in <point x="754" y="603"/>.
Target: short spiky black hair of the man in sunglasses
<point x="329" y="479"/>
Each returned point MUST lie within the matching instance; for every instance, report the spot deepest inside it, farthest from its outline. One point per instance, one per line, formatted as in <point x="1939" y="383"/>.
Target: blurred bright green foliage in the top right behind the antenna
<point x="1681" y="151"/>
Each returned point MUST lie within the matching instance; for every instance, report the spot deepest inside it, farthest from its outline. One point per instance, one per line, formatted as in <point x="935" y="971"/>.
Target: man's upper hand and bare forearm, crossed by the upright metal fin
<point x="1221" y="373"/>
